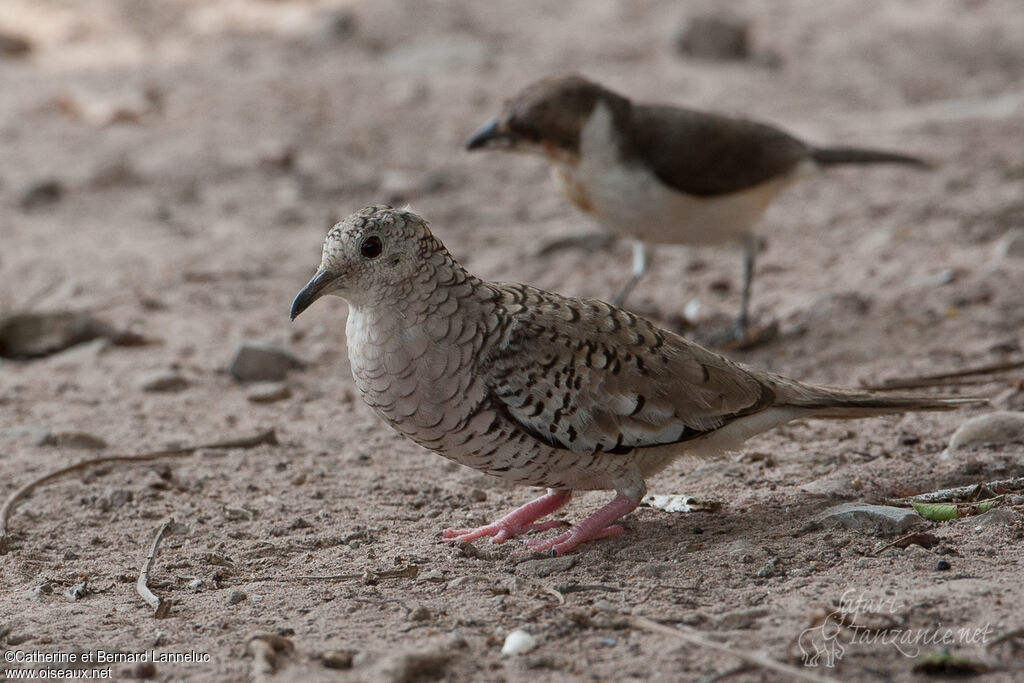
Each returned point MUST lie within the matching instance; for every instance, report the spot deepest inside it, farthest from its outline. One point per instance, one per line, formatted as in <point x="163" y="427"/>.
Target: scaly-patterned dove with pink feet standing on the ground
<point x="541" y="390"/>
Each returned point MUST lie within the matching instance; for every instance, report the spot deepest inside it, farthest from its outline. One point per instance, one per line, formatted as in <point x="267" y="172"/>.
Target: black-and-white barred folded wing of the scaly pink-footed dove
<point x="586" y="376"/>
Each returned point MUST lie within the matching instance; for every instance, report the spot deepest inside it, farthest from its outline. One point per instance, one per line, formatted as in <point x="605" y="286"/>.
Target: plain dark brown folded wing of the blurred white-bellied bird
<point x="705" y="154"/>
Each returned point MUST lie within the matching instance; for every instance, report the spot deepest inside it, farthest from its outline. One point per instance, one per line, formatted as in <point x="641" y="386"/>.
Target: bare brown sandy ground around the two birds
<point x="203" y="150"/>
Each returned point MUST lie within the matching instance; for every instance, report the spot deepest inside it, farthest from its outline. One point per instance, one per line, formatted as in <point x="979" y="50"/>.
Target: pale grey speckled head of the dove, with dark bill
<point x="377" y="255"/>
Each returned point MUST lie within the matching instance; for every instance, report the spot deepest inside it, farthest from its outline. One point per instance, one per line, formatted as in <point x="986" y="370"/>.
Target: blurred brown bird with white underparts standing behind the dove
<point x="661" y="175"/>
